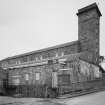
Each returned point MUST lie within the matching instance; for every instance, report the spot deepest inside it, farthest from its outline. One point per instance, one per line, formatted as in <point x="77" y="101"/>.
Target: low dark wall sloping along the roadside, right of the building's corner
<point x="81" y="86"/>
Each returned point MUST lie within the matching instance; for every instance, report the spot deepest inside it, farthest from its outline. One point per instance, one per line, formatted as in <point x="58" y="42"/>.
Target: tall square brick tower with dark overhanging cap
<point x="88" y="32"/>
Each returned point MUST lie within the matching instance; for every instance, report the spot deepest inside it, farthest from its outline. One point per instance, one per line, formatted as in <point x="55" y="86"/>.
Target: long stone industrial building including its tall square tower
<point x="41" y="72"/>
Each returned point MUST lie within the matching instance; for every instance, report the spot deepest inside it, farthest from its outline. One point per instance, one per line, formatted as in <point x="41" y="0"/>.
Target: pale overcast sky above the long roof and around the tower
<point x="28" y="25"/>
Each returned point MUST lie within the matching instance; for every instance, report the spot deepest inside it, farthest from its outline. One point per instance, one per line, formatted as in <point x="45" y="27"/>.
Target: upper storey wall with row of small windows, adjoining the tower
<point x="45" y="54"/>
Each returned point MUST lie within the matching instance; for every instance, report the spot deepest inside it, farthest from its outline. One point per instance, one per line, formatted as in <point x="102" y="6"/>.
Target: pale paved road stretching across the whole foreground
<point x="90" y="99"/>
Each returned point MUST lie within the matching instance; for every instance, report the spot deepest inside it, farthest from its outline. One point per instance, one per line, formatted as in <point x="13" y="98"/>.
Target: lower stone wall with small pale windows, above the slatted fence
<point x="39" y="75"/>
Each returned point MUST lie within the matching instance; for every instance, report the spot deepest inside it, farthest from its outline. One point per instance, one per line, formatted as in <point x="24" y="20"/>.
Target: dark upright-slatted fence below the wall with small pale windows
<point x="27" y="91"/>
